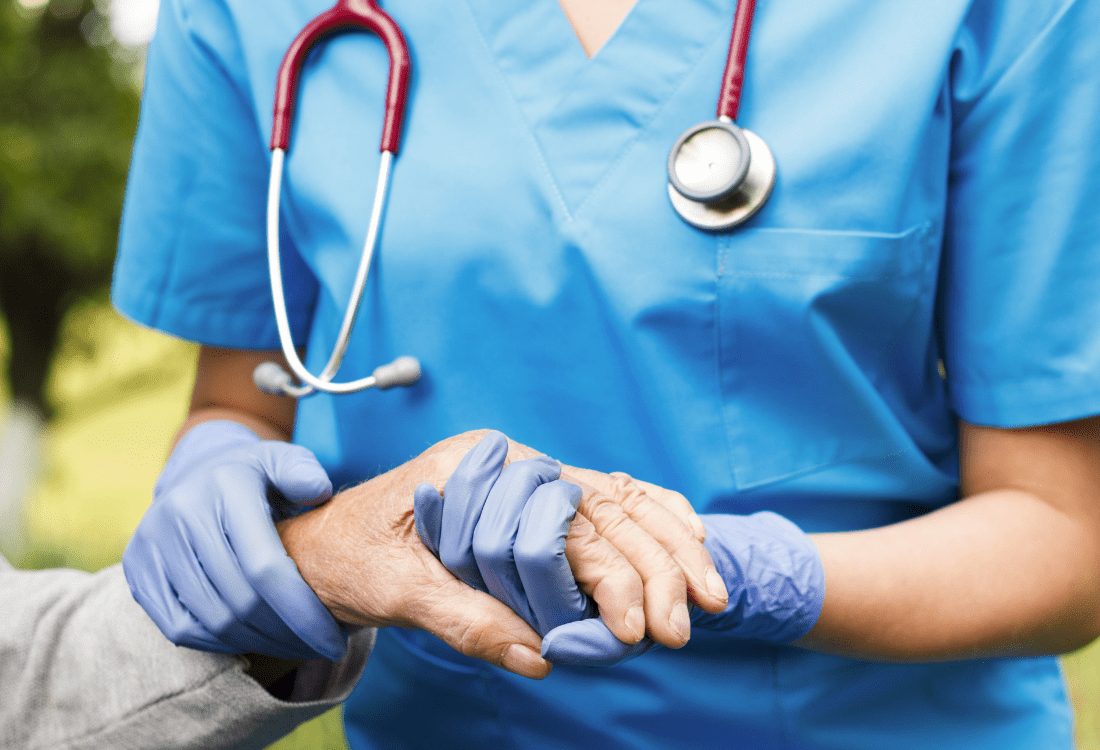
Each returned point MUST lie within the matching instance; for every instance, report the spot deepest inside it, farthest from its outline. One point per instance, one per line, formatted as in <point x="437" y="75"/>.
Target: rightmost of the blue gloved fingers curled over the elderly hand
<point x="545" y="572"/>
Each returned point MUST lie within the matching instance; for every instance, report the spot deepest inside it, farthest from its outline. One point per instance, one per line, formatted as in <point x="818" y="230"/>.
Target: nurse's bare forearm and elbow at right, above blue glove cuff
<point x="1014" y="570"/>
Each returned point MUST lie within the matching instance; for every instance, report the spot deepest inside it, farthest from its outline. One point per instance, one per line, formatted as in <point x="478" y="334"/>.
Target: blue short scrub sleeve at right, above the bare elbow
<point x="1020" y="304"/>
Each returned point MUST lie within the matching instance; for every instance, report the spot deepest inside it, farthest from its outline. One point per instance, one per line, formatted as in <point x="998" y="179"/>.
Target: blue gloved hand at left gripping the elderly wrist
<point x="206" y="562"/>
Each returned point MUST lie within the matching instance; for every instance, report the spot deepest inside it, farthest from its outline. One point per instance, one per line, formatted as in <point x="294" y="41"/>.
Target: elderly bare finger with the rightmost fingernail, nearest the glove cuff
<point x="705" y="584"/>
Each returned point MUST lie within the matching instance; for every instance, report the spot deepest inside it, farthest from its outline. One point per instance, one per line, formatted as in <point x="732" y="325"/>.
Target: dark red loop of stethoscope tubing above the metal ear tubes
<point x="346" y="16"/>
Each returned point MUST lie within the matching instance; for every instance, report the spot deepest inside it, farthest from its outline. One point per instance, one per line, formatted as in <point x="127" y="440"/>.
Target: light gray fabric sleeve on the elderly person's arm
<point x="82" y="666"/>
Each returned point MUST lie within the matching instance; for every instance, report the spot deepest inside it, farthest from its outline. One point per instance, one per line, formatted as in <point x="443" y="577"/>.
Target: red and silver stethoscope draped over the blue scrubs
<point x="720" y="175"/>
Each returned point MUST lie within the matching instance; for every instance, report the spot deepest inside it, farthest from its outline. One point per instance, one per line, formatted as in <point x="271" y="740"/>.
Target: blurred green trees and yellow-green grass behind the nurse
<point x="91" y="403"/>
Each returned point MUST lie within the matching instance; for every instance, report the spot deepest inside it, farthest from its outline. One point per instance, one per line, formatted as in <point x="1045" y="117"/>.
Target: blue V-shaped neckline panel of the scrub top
<point x="586" y="114"/>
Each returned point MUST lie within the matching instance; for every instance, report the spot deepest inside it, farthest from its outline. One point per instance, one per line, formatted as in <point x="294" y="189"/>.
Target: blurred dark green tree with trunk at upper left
<point x="68" y="120"/>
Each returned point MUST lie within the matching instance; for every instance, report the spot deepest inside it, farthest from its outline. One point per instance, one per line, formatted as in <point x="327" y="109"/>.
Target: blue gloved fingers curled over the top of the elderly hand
<point x="504" y="531"/>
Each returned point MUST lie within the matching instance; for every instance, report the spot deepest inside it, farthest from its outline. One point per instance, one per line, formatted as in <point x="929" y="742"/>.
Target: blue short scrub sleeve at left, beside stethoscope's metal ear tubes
<point x="193" y="248"/>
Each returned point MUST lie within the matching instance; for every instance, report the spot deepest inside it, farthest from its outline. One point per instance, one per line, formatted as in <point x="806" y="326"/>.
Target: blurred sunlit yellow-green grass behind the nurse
<point x="122" y="392"/>
